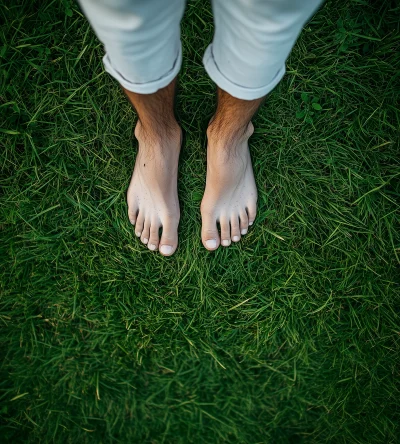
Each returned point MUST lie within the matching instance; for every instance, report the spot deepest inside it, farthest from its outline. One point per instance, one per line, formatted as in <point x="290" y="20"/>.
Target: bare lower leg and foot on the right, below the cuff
<point x="230" y="197"/>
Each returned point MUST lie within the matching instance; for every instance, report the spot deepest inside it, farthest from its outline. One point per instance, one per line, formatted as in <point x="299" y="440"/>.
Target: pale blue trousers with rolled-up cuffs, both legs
<point x="246" y="58"/>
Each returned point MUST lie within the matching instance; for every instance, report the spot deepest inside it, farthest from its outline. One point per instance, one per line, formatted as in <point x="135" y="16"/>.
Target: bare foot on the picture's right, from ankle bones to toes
<point x="230" y="197"/>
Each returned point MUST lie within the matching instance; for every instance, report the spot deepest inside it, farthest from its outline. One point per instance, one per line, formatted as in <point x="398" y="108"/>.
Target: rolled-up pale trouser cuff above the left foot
<point x="148" y="87"/>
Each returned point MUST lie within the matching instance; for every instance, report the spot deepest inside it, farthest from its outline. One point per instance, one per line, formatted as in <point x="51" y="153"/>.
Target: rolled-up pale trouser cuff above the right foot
<point x="235" y="90"/>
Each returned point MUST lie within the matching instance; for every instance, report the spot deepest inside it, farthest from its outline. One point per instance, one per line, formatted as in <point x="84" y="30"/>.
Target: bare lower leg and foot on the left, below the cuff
<point x="152" y="195"/>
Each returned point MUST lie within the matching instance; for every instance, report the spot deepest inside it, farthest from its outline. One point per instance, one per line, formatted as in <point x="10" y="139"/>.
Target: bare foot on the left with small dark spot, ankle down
<point x="152" y="194"/>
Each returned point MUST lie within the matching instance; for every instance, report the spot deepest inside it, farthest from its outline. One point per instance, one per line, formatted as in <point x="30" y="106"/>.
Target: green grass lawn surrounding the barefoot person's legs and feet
<point x="291" y="336"/>
